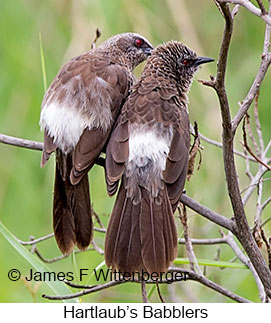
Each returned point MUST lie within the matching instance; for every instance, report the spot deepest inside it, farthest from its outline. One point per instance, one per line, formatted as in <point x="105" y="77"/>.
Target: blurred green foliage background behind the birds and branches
<point x="67" y="29"/>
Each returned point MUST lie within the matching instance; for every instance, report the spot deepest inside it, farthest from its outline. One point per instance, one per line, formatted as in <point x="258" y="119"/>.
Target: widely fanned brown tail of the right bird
<point x="141" y="236"/>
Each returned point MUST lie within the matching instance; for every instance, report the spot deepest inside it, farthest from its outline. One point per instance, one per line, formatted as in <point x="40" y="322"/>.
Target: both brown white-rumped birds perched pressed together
<point x="94" y="105"/>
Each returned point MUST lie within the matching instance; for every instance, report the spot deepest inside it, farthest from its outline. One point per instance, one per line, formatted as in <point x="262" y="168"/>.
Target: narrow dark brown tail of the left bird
<point x="71" y="211"/>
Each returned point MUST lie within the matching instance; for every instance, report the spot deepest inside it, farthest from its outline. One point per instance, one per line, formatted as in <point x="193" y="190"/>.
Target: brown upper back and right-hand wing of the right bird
<point x="159" y="102"/>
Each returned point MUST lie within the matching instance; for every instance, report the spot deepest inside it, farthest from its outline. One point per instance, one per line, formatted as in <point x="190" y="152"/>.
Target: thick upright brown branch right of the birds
<point x="243" y="231"/>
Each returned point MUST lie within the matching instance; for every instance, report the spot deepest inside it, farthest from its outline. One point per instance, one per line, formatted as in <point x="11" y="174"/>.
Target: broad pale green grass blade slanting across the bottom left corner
<point x="57" y="287"/>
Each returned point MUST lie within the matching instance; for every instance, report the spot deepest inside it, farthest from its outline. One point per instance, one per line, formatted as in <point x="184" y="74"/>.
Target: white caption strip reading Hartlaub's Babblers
<point x="130" y="312"/>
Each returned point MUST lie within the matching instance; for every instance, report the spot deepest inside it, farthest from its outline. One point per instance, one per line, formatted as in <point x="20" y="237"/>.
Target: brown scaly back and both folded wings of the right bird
<point x="151" y="103"/>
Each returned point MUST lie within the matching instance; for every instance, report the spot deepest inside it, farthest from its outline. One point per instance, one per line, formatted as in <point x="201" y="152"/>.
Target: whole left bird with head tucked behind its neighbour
<point x="78" y="112"/>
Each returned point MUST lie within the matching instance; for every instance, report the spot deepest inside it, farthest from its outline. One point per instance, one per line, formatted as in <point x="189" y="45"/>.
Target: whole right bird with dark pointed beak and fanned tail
<point x="148" y="151"/>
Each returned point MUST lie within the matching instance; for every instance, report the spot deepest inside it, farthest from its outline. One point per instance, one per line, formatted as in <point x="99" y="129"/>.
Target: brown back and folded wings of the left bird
<point x="97" y="89"/>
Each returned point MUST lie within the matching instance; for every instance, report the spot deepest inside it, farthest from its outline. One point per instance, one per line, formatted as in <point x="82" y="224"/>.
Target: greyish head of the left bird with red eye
<point x="128" y="49"/>
